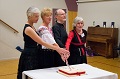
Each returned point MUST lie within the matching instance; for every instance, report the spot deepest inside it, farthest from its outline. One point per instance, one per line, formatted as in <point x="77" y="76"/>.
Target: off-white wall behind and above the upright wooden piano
<point x="100" y="11"/>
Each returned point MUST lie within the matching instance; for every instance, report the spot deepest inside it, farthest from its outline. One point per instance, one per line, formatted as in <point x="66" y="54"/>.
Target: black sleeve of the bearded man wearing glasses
<point x="57" y="36"/>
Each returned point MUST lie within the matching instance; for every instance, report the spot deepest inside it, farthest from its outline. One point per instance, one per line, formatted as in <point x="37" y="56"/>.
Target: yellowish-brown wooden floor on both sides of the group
<point x="8" y="68"/>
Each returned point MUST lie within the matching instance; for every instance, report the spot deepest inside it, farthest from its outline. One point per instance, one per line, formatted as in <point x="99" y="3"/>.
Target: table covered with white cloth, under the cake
<point x="51" y="73"/>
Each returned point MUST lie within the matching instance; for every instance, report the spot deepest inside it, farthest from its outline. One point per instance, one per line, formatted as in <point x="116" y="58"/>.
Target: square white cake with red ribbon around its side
<point x="74" y="71"/>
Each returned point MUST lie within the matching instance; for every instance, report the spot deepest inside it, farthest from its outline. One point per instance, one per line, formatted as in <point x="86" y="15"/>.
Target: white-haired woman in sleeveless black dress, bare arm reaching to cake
<point x="30" y="57"/>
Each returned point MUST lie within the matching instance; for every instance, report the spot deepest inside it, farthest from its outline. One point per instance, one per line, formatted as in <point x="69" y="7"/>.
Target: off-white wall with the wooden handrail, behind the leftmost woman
<point x="13" y="12"/>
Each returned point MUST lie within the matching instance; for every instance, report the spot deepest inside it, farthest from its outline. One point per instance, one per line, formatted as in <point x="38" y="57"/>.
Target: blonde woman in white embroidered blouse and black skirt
<point x="45" y="33"/>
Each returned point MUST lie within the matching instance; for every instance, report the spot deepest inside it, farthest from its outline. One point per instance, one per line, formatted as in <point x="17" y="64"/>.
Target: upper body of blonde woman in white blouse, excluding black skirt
<point x="44" y="30"/>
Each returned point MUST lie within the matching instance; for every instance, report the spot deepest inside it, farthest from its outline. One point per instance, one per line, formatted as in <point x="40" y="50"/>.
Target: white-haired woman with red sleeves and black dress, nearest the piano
<point x="76" y="42"/>
